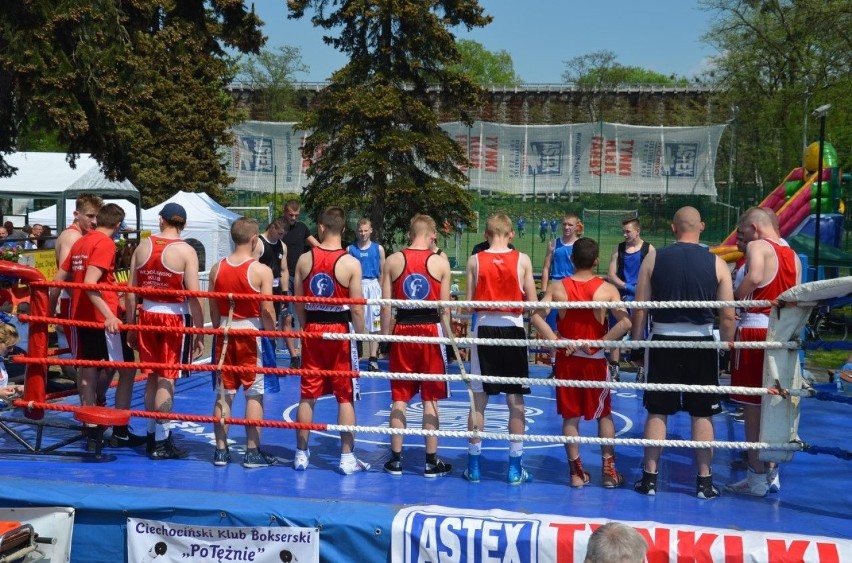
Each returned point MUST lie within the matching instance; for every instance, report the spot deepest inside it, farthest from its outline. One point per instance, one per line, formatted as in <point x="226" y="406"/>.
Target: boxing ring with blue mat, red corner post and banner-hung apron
<point x="374" y="516"/>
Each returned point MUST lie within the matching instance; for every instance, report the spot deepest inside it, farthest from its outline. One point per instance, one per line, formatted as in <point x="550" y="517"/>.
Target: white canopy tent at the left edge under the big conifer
<point x="47" y="175"/>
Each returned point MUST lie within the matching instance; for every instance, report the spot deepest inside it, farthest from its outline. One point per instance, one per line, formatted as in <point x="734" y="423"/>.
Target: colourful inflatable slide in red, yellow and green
<point x="795" y="198"/>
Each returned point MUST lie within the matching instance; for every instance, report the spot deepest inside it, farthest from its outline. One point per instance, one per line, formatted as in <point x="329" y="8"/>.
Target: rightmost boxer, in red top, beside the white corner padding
<point x="771" y="267"/>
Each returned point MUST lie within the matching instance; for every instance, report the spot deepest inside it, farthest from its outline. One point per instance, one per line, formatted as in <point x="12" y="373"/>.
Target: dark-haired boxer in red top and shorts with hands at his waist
<point x="584" y="364"/>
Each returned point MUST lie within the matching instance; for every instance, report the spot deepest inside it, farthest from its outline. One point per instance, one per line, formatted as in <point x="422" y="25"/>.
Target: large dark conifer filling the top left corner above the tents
<point x="139" y="85"/>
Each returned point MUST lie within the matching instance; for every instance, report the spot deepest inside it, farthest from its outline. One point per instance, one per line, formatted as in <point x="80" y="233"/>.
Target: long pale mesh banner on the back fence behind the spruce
<point x="519" y="159"/>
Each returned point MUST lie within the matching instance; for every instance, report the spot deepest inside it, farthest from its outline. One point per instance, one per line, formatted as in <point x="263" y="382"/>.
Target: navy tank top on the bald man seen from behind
<point x="684" y="272"/>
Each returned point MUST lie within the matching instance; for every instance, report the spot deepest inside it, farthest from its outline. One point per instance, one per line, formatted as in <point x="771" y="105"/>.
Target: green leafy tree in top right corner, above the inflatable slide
<point x="779" y="60"/>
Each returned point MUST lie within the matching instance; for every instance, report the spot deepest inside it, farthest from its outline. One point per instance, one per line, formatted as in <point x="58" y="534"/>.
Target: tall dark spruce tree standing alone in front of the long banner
<point x="375" y="145"/>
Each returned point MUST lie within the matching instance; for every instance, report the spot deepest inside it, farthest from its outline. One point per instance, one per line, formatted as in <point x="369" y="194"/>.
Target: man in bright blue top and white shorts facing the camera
<point x="372" y="257"/>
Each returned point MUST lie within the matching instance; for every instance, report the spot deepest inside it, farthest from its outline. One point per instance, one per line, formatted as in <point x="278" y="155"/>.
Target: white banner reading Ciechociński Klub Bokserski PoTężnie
<point x="151" y="541"/>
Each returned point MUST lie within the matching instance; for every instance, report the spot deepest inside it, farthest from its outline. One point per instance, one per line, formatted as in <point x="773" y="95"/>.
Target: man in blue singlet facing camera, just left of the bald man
<point x="624" y="272"/>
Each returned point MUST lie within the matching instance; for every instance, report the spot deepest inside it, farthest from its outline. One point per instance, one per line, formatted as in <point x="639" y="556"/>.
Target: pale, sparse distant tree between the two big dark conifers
<point x="271" y="75"/>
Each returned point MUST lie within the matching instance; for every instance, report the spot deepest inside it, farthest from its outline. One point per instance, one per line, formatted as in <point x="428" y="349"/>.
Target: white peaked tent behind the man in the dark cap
<point x="206" y="221"/>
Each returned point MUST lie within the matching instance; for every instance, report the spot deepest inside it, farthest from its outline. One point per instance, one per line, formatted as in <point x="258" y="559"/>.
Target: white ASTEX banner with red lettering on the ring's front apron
<point x="435" y="533"/>
